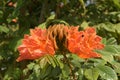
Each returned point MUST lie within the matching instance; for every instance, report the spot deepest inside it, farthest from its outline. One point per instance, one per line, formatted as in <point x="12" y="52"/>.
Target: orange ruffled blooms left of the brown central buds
<point x="36" y="45"/>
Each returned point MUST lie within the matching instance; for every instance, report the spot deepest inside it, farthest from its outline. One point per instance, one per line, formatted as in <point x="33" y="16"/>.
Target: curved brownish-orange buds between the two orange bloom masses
<point x="58" y="33"/>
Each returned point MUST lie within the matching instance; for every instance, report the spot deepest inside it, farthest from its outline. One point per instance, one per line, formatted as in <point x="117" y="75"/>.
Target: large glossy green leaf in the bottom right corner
<point x="107" y="73"/>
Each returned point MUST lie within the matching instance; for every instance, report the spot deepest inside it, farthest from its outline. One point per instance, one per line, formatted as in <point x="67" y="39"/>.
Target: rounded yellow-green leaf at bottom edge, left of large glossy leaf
<point x="92" y="74"/>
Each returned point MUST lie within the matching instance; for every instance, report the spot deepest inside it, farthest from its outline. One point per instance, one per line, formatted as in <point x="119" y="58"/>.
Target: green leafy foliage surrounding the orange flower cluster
<point x="104" y="15"/>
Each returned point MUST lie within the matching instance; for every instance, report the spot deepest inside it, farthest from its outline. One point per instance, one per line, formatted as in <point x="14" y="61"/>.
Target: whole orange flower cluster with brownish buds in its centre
<point x="41" y="42"/>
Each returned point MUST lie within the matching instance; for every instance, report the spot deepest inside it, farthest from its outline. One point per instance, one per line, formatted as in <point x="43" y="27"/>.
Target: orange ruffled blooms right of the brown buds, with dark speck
<point x="83" y="43"/>
